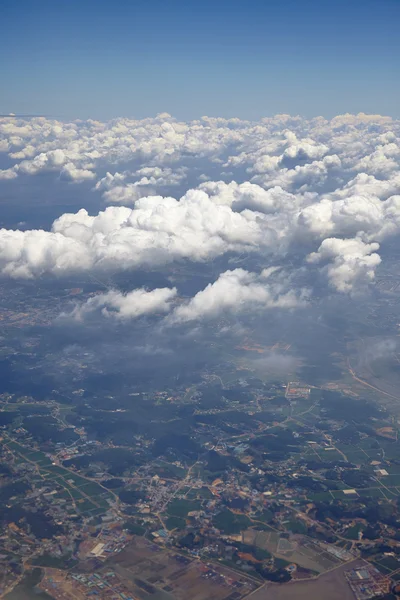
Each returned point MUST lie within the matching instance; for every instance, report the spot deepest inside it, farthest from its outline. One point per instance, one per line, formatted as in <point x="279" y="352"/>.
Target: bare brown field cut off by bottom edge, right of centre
<point x="329" y="586"/>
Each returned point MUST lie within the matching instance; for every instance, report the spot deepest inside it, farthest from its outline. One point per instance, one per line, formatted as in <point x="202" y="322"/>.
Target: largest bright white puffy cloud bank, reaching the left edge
<point x="156" y="231"/>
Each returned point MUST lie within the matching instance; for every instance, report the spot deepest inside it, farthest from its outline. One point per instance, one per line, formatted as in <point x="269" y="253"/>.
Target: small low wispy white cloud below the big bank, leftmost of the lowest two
<point x="126" y="306"/>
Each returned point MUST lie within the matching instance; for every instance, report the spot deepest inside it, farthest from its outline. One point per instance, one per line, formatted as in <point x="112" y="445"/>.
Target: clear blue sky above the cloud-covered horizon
<point x="249" y="58"/>
